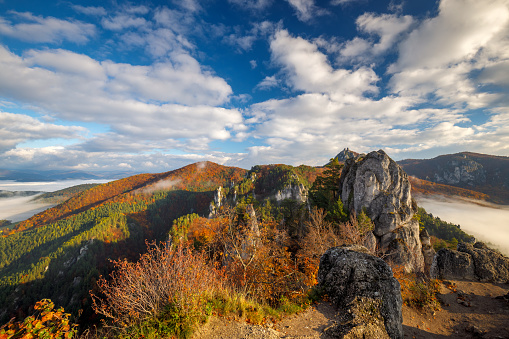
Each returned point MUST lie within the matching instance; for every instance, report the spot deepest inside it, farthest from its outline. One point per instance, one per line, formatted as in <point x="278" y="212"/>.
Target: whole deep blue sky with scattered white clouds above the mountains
<point x="151" y="86"/>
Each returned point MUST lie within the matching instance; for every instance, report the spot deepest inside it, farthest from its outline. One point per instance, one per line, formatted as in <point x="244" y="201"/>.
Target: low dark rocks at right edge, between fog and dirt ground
<point x="471" y="262"/>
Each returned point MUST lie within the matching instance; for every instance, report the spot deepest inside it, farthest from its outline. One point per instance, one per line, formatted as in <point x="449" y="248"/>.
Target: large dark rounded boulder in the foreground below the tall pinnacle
<point x="365" y="291"/>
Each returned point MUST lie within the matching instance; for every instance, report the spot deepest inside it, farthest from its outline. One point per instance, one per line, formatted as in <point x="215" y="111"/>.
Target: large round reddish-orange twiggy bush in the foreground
<point x="167" y="290"/>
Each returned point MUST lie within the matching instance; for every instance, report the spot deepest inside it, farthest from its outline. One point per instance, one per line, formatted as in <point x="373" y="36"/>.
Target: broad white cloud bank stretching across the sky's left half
<point x="163" y="101"/>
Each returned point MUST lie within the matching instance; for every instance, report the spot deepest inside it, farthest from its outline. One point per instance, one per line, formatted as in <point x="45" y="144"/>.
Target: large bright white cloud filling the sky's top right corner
<point x="439" y="56"/>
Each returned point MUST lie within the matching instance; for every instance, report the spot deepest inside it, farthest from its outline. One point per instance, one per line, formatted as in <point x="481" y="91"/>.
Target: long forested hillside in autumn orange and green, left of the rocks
<point x="61" y="252"/>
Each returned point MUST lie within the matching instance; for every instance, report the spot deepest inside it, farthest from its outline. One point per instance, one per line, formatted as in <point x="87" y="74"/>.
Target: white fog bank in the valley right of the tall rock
<point x="486" y="222"/>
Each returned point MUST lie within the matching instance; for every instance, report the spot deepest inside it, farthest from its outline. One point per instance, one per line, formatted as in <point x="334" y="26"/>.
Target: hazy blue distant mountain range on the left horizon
<point x="56" y="175"/>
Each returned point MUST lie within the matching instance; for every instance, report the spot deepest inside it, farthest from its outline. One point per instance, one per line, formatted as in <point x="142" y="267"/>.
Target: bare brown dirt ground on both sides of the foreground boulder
<point x="469" y="310"/>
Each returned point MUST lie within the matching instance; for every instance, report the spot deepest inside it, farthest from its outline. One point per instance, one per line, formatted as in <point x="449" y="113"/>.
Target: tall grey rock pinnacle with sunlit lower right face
<point x="377" y="184"/>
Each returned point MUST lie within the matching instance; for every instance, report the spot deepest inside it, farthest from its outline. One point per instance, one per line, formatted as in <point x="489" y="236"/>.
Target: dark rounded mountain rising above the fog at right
<point x="482" y="173"/>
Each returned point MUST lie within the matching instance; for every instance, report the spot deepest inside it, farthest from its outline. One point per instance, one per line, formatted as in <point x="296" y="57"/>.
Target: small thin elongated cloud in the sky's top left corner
<point x="46" y="29"/>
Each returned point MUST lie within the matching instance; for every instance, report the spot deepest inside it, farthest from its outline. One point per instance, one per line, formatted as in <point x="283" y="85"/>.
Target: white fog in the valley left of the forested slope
<point x="21" y="208"/>
